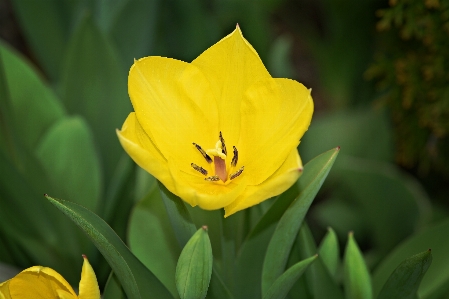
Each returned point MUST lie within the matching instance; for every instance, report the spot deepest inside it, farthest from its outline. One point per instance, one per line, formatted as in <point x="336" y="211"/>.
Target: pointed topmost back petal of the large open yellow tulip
<point x="231" y="66"/>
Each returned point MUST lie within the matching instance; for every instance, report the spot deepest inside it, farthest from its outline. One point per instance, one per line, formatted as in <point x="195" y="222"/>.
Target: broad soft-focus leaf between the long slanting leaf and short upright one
<point x="152" y="240"/>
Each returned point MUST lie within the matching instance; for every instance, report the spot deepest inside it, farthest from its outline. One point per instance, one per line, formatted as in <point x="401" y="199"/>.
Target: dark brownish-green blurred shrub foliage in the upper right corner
<point x="410" y="69"/>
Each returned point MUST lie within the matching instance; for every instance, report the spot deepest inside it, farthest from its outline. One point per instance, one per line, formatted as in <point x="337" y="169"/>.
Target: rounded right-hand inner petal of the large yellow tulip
<point x="275" y="115"/>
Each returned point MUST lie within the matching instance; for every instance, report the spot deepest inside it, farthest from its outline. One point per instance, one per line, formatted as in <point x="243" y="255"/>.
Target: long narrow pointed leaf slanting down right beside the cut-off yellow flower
<point x="136" y="279"/>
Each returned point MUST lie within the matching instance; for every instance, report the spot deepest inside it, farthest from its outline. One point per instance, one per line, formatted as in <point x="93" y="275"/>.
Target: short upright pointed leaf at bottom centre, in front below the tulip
<point x="194" y="267"/>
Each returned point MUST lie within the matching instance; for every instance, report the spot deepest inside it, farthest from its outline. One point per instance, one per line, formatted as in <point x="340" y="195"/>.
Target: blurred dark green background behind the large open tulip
<point x="378" y="73"/>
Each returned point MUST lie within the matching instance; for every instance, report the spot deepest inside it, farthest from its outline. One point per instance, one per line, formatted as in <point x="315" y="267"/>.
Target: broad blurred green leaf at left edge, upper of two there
<point x="32" y="106"/>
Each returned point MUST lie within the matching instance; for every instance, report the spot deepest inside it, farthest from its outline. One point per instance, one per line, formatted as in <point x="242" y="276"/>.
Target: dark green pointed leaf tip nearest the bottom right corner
<point x="404" y="281"/>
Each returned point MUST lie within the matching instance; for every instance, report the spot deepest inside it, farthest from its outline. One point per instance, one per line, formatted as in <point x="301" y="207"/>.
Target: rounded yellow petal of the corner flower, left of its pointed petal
<point x="39" y="283"/>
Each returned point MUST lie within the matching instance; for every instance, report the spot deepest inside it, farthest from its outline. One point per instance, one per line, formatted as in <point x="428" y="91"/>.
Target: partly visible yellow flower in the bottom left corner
<point x="45" y="283"/>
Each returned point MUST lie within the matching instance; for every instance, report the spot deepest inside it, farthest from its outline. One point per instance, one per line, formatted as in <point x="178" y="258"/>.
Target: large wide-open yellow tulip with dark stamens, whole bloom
<point x="219" y="132"/>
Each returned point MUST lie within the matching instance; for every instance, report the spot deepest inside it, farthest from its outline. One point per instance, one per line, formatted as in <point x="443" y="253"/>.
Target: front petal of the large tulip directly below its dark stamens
<point x="207" y="195"/>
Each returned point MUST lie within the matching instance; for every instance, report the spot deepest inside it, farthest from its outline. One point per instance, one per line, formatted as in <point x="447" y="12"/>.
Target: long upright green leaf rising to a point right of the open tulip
<point x="287" y="229"/>
